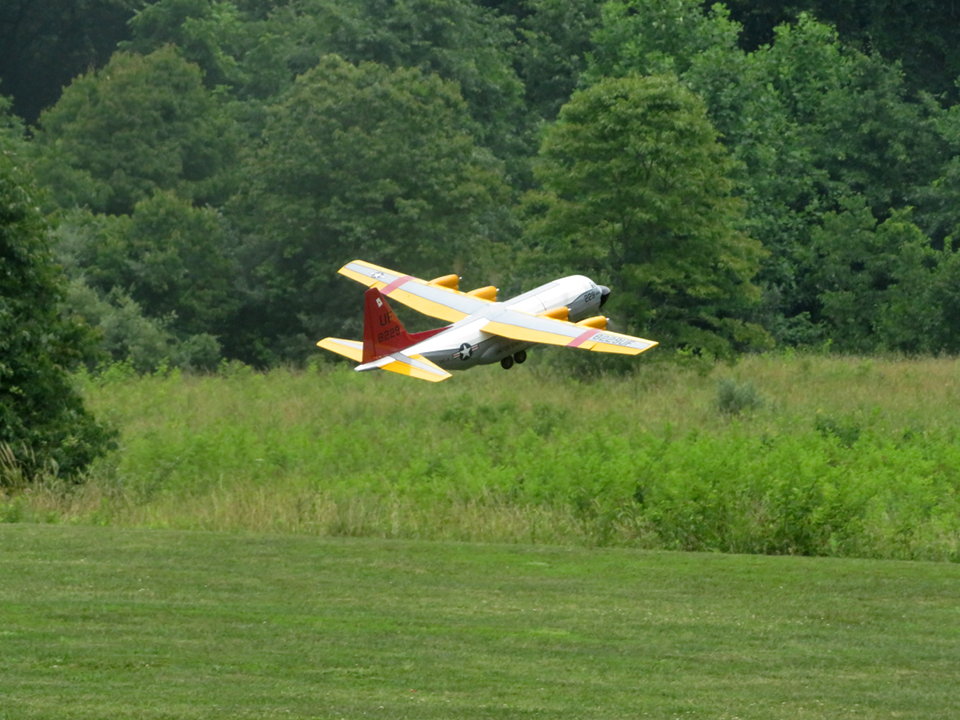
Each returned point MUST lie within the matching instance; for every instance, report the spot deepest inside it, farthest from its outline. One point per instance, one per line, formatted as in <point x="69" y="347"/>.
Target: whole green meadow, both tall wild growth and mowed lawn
<point x="326" y="544"/>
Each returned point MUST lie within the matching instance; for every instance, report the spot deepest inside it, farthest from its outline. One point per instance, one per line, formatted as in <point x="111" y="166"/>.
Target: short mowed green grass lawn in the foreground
<point x="132" y="623"/>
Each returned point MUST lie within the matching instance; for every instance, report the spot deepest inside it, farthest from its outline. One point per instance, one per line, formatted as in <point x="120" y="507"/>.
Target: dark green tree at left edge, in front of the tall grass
<point x="43" y="424"/>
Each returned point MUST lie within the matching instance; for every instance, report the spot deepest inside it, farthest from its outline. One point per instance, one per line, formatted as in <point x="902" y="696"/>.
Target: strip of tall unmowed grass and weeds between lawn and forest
<point x="778" y="454"/>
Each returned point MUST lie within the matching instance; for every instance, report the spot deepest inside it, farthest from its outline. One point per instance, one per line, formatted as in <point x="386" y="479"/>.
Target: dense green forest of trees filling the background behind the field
<point x="744" y="176"/>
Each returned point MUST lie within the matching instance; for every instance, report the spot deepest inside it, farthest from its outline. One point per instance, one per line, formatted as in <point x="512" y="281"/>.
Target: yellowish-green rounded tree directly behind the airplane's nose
<point x="637" y="191"/>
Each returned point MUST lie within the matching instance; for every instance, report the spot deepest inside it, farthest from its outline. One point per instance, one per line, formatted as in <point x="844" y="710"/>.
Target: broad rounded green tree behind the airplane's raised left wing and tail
<point x="356" y="161"/>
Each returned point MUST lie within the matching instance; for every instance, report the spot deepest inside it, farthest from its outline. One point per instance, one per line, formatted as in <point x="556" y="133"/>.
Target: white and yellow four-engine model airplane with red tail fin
<point x="562" y="312"/>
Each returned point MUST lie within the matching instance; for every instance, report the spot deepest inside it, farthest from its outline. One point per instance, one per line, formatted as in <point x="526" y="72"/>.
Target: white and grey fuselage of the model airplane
<point x="464" y="344"/>
